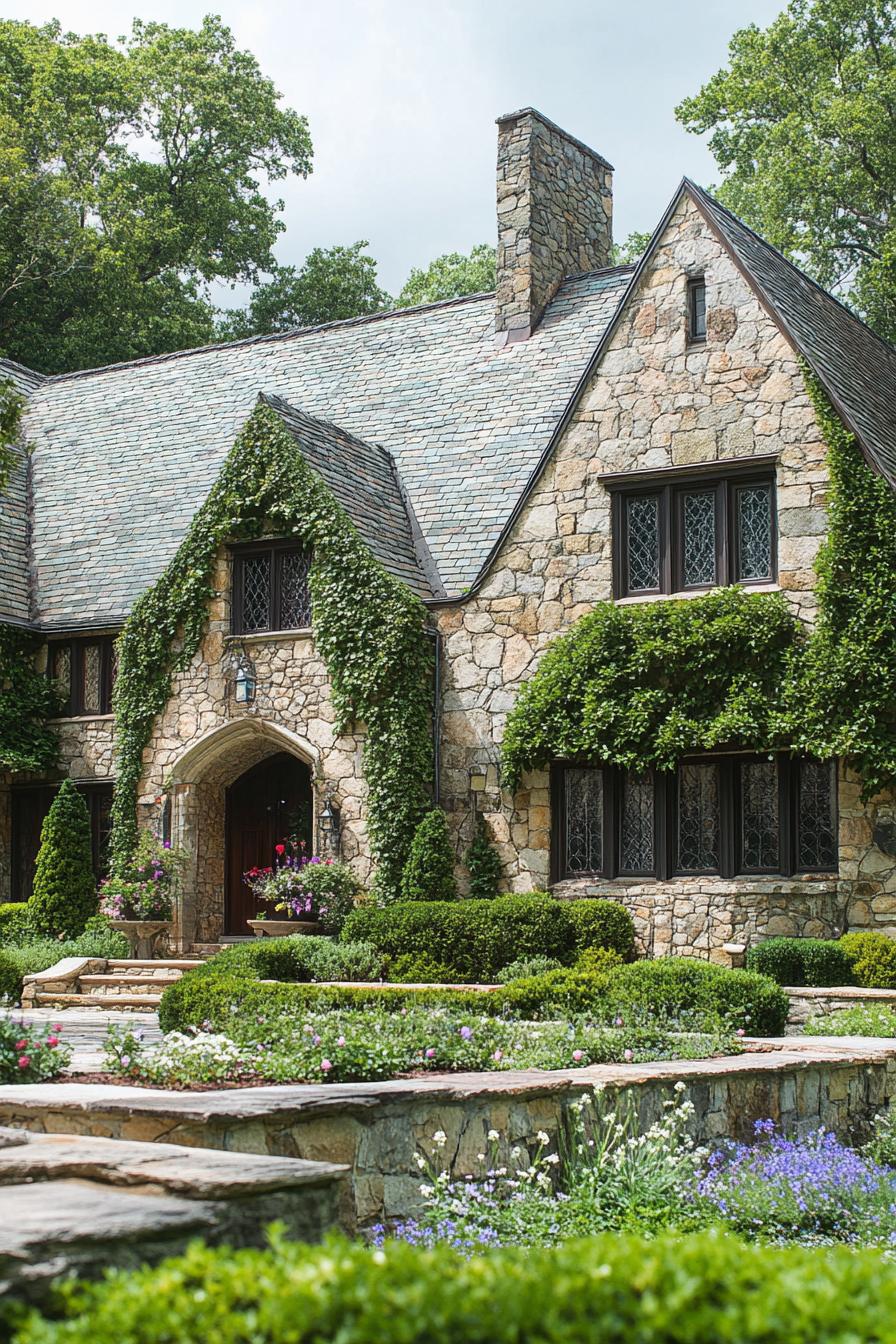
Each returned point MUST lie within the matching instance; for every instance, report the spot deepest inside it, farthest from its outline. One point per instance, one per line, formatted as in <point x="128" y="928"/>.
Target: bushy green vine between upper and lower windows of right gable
<point x="639" y="686"/>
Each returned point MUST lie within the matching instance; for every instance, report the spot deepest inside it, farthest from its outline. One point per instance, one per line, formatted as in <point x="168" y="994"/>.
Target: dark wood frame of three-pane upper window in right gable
<point x="671" y="487"/>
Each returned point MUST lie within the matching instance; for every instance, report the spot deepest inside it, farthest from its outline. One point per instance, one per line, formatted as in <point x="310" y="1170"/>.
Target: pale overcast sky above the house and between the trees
<point x="402" y="99"/>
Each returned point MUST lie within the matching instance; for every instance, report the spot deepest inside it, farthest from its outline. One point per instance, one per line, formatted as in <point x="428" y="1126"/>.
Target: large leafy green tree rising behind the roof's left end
<point x="131" y="178"/>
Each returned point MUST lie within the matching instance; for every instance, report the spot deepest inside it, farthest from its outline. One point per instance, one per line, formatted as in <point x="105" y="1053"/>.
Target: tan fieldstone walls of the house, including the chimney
<point x="654" y="403"/>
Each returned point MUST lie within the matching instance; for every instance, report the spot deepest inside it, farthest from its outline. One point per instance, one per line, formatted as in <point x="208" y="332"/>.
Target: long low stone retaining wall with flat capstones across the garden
<point x="378" y="1128"/>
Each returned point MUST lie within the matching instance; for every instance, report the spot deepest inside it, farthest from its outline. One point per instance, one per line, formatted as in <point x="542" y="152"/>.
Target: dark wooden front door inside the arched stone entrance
<point x="264" y="807"/>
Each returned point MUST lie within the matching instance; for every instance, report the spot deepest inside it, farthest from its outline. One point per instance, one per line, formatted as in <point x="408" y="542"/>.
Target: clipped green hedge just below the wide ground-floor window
<point x="478" y="939"/>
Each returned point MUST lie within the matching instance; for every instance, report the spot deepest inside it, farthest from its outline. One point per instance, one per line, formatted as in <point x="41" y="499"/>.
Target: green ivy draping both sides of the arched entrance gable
<point x="370" y="630"/>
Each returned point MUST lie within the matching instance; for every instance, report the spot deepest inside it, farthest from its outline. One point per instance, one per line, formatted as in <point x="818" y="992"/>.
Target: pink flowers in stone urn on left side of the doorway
<point x="140" y="904"/>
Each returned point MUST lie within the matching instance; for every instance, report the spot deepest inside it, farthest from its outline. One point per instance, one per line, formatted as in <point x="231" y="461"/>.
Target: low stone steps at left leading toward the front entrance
<point x="95" y="983"/>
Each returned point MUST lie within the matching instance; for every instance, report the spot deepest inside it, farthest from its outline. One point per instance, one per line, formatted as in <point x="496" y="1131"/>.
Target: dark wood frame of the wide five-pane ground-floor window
<point x="666" y="822"/>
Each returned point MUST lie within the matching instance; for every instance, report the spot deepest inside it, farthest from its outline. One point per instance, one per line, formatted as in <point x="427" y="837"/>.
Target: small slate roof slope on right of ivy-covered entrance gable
<point x="363" y="479"/>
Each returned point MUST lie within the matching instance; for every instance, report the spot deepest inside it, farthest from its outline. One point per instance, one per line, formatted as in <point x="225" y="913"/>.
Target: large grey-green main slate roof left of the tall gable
<point x="124" y="456"/>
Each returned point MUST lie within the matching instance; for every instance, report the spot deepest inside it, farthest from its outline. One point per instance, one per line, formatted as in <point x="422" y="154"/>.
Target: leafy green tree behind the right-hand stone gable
<point x="803" y="122"/>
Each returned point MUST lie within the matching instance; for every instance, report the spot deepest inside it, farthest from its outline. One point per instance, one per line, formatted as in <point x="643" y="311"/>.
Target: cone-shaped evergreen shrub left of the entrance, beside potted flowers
<point x="65" y="892"/>
